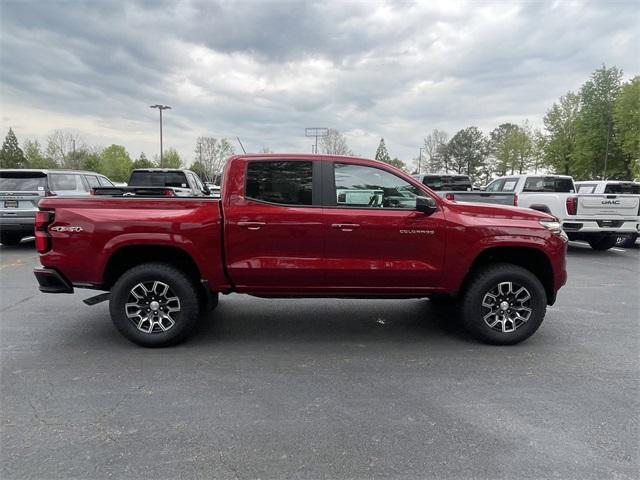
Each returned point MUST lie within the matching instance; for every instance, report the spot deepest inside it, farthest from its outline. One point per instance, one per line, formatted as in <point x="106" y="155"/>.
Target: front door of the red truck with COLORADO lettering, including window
<point x="376" y="241"/>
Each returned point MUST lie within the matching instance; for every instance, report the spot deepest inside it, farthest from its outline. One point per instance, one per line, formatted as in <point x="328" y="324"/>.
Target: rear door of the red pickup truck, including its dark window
<point x="273" y="226"/>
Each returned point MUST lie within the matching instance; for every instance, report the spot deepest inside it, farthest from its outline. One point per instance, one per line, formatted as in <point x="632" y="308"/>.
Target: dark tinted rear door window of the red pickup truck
<point x="289" y="182"/>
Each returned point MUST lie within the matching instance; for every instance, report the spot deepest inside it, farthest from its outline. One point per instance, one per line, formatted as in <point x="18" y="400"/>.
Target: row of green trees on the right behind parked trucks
<point x="590" y="134"/>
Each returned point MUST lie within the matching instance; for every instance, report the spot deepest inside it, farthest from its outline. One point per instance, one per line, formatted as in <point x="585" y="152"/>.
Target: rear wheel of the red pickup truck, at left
<point x="154" y="305"/>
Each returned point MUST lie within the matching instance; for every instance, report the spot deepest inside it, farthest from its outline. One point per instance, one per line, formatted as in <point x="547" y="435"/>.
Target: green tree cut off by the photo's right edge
<point x="626" y="116"/>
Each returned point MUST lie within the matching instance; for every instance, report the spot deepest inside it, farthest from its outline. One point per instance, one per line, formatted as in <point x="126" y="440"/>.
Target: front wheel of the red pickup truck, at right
<point x="503" y="304"/>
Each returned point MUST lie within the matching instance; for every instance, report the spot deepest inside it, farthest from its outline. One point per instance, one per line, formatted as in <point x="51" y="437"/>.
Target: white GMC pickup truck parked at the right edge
<point x="596" y="218"/>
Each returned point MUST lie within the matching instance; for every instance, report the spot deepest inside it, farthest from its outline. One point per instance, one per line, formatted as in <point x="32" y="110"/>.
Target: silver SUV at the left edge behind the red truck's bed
<point x="22" y="189"/>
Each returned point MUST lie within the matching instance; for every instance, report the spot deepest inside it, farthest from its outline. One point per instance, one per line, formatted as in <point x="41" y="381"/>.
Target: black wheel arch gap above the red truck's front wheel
<point x="529" y="258"/>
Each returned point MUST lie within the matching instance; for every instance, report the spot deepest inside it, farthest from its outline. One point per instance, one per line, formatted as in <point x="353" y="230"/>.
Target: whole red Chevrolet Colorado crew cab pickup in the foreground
<point x="301" y="226"/>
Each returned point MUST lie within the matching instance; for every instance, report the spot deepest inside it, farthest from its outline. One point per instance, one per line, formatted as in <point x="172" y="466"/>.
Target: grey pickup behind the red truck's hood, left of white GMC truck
<point x="457" y="187"/>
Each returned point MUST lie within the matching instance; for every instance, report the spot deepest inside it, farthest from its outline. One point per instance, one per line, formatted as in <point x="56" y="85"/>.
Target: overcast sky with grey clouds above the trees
<point x="265" y="70"/>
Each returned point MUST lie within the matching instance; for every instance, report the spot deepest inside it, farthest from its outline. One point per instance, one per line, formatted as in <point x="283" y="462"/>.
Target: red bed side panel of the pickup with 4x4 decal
<point x="109" y="224"/>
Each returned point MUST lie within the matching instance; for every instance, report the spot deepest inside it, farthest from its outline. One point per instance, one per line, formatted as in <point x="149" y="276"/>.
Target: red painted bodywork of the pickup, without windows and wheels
<point x="275" y="250"/>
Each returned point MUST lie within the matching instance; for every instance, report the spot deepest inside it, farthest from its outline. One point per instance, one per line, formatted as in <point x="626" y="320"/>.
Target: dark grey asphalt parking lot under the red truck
<point x="323" y="388"/>
